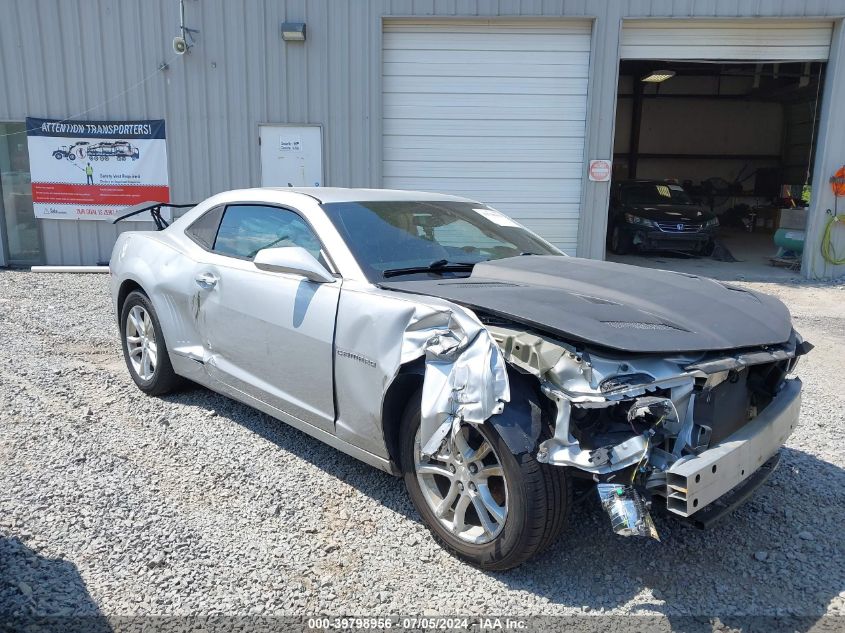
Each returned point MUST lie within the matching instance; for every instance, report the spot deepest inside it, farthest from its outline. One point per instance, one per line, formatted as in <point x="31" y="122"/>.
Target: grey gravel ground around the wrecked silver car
<point x="112" y="502"/>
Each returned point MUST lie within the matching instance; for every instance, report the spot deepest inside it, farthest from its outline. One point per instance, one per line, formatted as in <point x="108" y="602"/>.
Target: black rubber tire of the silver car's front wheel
<point x="536" y="498"/>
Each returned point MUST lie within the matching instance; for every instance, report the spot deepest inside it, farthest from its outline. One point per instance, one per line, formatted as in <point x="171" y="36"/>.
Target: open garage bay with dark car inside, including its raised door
<point x="713" y="158"/>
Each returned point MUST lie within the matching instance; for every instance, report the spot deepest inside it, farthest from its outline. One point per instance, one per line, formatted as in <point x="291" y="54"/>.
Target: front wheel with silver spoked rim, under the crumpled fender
<point x="486" y="505"/>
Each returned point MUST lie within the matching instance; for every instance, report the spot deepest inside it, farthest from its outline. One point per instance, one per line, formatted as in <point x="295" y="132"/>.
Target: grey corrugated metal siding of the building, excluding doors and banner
<point x="64" y="58"/>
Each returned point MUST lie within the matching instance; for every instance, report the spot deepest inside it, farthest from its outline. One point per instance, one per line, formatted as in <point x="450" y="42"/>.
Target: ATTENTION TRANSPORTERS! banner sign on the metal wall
<point x="92" y="170"/>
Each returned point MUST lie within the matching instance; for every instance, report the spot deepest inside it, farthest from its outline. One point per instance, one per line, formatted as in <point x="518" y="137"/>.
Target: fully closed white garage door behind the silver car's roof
<point x="490" y="110"/>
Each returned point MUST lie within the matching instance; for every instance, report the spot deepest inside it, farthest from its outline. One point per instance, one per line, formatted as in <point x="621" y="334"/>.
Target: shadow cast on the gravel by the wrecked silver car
<point x="773" y="550"/>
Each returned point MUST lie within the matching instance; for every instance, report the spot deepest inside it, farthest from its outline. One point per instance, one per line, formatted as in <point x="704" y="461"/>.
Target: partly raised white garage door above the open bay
<point x="739" y="40"/>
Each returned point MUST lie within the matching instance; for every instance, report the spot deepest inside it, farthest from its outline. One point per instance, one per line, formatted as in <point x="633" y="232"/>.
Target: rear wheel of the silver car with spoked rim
<point x="146" y="356"/>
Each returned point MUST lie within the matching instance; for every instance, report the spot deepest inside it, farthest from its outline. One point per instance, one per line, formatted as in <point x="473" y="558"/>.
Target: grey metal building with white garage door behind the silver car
<point x="502" y="100"/>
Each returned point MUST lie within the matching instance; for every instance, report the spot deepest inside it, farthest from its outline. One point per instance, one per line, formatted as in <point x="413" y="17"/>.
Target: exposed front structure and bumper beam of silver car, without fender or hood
<point x="679" y="431"/>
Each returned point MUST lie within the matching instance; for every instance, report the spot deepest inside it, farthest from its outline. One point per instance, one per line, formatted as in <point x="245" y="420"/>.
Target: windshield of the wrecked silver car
<point x="394" y="236"/>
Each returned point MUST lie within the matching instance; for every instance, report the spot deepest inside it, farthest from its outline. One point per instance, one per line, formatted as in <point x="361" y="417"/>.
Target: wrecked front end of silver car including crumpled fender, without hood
<point x="691" y="432"/>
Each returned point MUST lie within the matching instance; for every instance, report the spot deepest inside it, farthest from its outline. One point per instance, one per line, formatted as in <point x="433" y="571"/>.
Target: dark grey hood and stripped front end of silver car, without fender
<point x="676" y="403"/>
